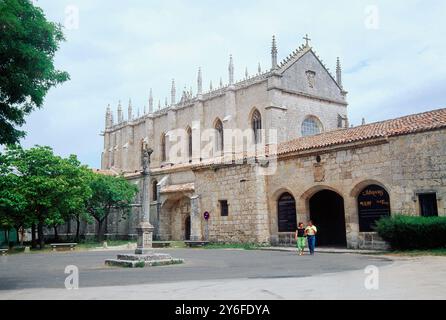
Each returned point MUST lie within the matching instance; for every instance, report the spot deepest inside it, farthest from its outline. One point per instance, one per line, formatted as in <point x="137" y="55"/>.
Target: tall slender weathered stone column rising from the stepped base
<point x="145" y="229"/>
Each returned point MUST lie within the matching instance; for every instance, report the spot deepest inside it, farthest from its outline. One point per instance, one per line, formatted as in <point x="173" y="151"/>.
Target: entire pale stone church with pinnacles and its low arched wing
<point x="314" y="166"/>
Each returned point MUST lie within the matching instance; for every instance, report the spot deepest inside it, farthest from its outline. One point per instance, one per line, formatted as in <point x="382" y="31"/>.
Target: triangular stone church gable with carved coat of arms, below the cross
<point x="306" y="74"/>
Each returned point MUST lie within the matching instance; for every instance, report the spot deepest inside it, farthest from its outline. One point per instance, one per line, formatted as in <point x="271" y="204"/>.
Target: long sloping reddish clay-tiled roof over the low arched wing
<point x="416" y="123"/>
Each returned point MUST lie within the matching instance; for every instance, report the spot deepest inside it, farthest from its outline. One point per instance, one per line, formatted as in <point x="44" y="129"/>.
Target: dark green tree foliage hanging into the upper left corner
<point x="28" y="46"/>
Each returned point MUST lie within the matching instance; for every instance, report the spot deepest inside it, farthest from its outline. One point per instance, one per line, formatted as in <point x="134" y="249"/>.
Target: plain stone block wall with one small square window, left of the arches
<point x="244" y="191"/>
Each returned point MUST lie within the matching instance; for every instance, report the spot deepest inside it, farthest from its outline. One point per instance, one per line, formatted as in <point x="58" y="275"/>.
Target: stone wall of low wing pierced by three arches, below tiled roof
<point x="404" y="166"/>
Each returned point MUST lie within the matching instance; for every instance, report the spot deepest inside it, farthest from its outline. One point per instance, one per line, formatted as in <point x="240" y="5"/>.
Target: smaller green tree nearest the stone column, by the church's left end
<point x="109" y="193"/>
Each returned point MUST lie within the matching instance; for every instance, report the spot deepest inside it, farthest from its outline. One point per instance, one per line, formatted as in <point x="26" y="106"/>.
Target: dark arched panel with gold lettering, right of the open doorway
<point x="373" y="204"/>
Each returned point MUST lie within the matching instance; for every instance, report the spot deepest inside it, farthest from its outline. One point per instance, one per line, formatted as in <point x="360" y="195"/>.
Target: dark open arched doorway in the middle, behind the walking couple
<point x="327" y="213"/>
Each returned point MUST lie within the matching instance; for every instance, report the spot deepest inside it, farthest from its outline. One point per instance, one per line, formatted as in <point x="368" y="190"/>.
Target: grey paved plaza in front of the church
<point x="224" y="274"/>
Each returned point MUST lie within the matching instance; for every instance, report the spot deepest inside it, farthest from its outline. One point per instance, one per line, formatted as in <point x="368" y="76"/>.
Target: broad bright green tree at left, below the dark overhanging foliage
<point x="54" y="189"/>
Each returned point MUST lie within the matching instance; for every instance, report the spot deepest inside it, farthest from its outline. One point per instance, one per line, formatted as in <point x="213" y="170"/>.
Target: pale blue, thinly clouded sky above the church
<point x="392" y="54"/>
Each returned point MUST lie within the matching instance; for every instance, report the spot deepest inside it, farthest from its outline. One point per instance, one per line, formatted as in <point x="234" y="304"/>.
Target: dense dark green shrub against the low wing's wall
<point x="412" y="233"/>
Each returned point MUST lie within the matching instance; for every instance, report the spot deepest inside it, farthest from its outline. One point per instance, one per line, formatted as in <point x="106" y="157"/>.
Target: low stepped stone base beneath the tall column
<point x="143" y="260"/>
